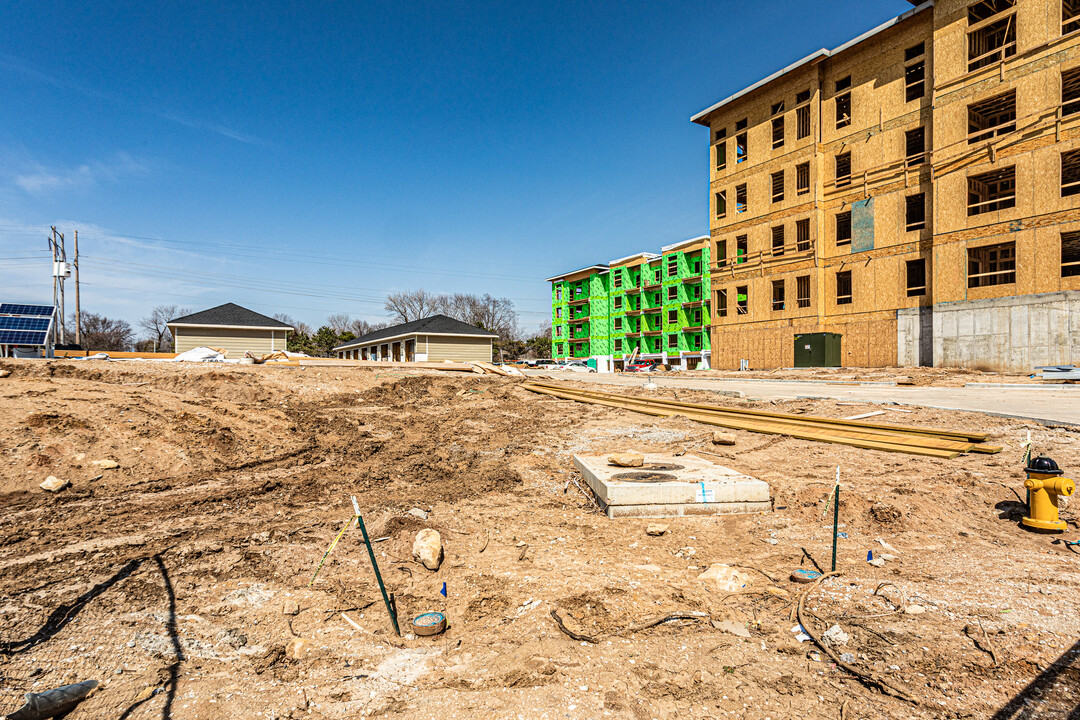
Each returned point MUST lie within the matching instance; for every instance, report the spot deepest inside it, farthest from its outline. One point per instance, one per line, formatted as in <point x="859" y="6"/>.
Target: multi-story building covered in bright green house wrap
<point x="643" y="307"/>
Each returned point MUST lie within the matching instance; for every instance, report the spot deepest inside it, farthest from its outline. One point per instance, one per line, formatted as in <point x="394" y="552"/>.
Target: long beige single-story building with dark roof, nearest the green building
<point x="430" y="339"/>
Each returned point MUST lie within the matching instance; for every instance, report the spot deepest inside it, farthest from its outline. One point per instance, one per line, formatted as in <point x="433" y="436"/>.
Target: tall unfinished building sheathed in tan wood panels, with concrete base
<point x="916" y="191"/>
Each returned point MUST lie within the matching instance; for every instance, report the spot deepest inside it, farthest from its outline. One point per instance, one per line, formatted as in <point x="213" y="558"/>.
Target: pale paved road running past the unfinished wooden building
<point x="1051" y="404"/>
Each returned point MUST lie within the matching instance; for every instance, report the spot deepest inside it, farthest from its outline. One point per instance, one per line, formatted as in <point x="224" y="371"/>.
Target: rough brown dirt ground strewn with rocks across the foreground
<point x="181" y="580"/>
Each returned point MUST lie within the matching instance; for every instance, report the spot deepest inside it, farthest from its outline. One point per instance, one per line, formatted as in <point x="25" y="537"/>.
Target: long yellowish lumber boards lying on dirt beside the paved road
<point x="873" y="437"/>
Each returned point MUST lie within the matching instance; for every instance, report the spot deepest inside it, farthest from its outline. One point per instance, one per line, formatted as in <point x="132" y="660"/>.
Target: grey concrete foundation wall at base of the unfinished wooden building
<point x="1012" y="334"/>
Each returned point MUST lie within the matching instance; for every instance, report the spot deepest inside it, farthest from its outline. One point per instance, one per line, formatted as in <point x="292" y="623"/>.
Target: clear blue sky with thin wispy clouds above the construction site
<point x="308" y="158"/>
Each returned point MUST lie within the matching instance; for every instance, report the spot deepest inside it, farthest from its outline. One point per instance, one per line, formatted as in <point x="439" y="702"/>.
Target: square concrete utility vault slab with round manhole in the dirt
<point x="671" y="487"/>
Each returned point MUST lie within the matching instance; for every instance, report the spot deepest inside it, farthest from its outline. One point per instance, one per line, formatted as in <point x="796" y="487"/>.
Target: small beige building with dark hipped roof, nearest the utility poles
<point x="232" y="329"/>
